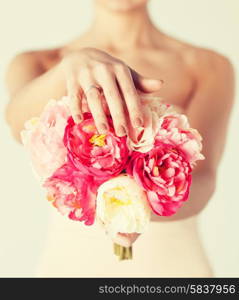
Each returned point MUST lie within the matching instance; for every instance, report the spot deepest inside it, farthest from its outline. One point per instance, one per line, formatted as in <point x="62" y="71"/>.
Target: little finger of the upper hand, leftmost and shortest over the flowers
<point x="73" y="91"/>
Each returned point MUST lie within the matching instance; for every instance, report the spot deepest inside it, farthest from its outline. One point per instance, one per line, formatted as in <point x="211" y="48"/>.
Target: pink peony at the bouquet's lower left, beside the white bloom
<point x="72" y="193"/>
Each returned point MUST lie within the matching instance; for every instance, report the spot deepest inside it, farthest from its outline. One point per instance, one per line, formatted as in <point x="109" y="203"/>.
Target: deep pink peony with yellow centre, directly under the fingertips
<point x="102" y="156"/>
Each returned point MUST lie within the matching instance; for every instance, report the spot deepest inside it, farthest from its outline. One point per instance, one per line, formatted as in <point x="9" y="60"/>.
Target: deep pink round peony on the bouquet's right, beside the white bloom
<point x="165" y="175"/>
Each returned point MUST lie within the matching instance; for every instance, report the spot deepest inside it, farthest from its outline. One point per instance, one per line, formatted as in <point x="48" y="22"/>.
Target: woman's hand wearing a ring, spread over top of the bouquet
<point x="91" y="72"/>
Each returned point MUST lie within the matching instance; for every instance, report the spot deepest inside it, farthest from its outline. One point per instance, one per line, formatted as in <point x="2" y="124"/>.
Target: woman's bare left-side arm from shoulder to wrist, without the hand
<point x="30" y="88"/>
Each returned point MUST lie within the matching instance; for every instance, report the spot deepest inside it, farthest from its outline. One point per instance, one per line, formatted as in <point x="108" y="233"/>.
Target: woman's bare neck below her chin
<point x="122" y="30"/>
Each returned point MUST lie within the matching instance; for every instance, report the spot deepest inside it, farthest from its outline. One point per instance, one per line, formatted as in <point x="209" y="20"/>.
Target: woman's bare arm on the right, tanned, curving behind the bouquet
<point x="208" y="112"/>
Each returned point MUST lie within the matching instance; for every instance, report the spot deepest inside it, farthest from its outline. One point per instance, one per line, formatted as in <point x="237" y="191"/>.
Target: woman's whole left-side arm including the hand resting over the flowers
<point x="31" y="87"/>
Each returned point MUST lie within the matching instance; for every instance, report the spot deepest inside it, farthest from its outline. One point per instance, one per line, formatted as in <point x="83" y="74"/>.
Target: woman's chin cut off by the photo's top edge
<point x="122" y="5"/>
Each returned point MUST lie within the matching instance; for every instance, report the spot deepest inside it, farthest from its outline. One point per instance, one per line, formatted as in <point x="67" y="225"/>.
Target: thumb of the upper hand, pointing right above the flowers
<point x="147" y="85"/>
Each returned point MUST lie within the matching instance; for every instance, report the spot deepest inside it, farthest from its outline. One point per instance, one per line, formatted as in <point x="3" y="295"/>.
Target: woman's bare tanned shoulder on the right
<point x="212" y="72"/>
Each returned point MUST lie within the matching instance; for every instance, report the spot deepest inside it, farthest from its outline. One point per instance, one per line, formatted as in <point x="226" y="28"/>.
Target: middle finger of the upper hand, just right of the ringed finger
<point x="115" y="103"/>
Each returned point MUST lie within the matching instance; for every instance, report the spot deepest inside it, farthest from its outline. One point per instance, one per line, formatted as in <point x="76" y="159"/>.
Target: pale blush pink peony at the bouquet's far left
<point x="43" y="138"/>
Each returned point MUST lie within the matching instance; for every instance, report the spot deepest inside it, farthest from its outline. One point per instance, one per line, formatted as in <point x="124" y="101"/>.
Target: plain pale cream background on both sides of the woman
<point x="31" y="24"/>
